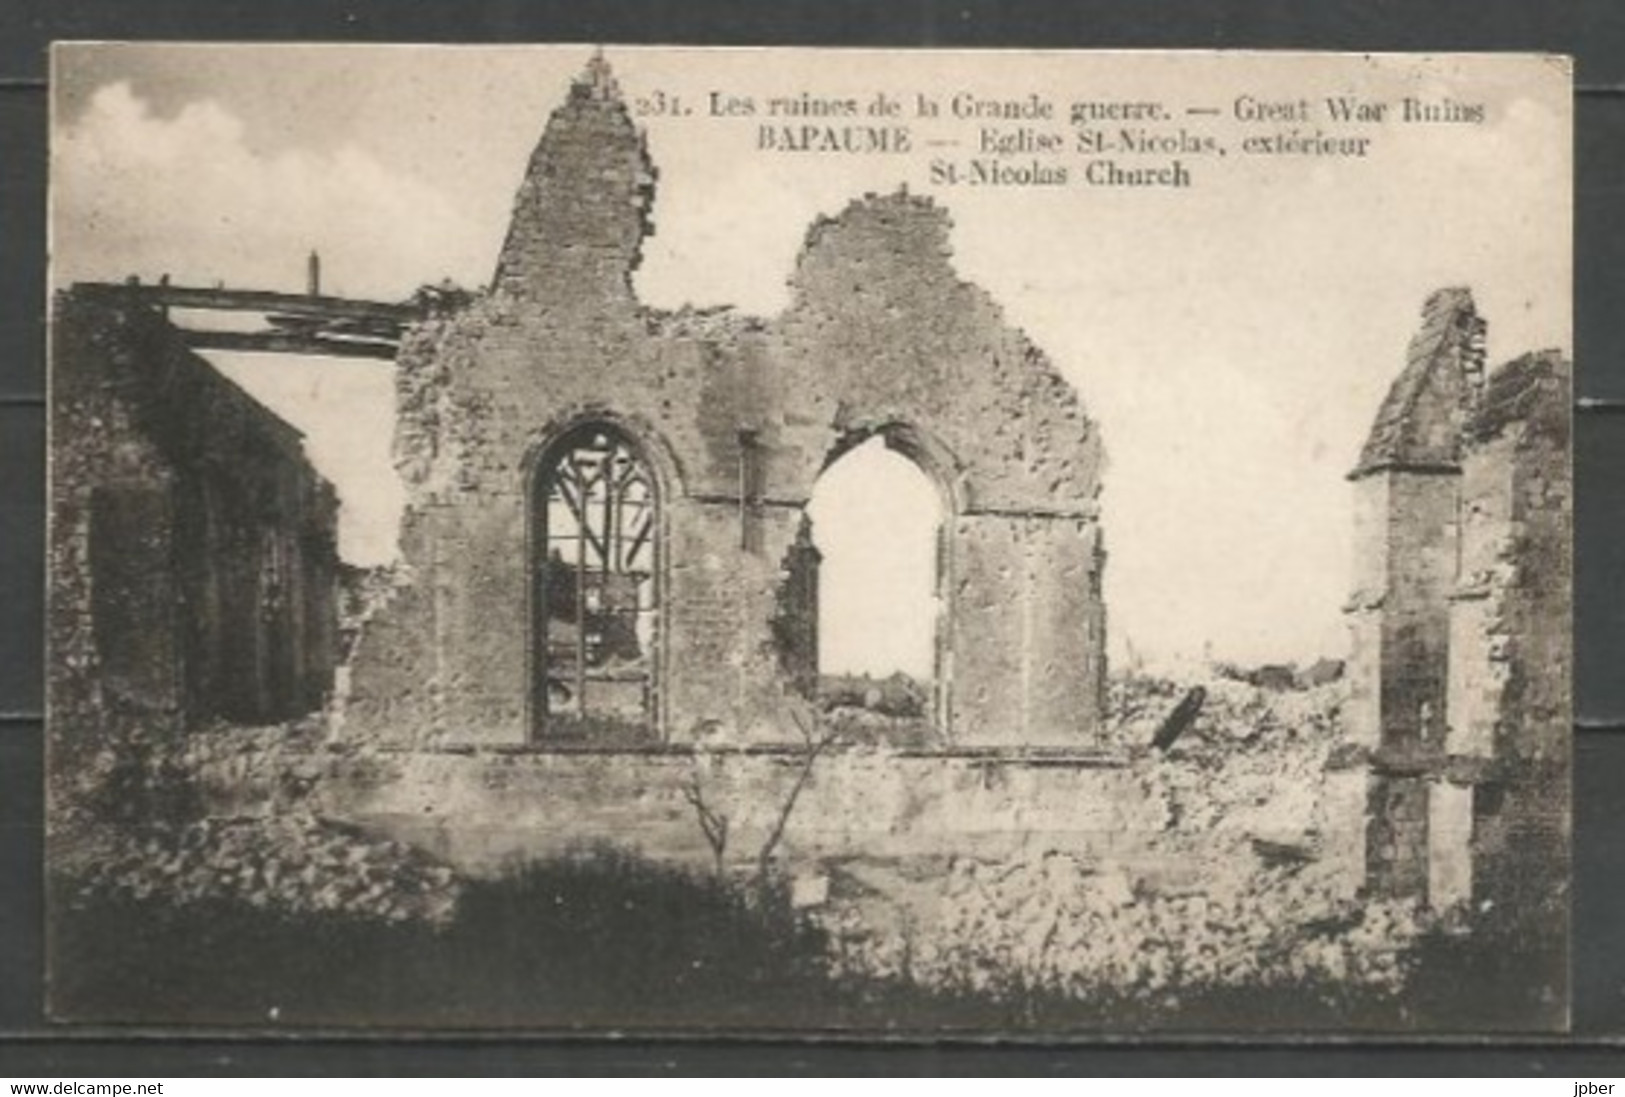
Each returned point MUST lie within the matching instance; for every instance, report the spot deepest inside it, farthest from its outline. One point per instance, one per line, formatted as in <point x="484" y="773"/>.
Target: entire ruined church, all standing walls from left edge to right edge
<point x="609" y="584"/>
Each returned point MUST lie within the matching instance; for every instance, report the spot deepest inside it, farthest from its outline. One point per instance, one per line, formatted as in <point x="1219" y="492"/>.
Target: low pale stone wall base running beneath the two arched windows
<point x="483" y="810"/>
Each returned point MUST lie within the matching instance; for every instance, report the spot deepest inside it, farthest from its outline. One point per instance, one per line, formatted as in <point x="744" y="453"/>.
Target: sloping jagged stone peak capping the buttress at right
<point x="1421" y="423"/>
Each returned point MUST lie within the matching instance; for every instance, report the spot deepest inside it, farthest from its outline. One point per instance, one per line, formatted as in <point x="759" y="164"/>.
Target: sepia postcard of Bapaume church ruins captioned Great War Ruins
<point x="677" y="540"/>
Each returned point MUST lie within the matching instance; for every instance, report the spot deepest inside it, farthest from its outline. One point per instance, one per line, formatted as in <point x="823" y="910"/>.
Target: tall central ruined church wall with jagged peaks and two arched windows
<point x="605" y="542"/>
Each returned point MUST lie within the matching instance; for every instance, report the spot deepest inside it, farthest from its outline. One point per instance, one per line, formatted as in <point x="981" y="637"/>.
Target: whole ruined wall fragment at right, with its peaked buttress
<point x="1460" y="662"/>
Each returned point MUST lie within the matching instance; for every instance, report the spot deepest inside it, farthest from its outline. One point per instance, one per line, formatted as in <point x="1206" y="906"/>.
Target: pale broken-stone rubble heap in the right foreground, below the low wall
<point x="1055" y="926"/>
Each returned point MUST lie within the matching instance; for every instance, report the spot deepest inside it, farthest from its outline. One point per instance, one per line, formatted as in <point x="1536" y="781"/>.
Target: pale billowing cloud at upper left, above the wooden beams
<point x="189" y="196"/>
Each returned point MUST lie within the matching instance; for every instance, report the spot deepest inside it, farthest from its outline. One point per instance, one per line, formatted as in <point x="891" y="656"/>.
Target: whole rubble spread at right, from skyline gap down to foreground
<point x="1233" y="891"/>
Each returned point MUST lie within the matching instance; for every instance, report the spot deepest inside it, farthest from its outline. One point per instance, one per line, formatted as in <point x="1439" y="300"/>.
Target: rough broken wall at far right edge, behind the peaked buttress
<point x="1512" y="669"/>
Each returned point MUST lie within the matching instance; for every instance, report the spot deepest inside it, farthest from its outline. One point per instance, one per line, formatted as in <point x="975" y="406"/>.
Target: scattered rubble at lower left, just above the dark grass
<point x="288" y="864"/>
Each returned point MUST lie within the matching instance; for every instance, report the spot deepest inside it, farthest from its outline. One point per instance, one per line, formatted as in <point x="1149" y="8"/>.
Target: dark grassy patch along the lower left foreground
<point x="604" y="942"/>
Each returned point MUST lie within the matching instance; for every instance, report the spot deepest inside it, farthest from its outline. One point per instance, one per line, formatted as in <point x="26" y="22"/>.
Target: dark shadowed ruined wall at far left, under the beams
<point x="193" y="547"/>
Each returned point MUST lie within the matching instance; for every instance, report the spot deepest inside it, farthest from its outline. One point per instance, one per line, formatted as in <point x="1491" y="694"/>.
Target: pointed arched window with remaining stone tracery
<point x="596" y="589"/>
